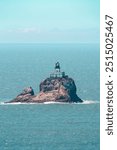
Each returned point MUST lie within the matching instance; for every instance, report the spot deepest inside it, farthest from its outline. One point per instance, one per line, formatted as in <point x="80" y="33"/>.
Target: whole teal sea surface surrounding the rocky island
<point x="49" y="126"/>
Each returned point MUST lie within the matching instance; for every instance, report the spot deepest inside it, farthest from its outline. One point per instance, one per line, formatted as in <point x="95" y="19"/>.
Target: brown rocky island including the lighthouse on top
<point x="56" y="88"/>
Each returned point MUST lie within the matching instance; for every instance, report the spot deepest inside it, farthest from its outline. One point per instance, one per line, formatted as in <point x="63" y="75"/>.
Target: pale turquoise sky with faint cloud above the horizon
<point x="49" y="21"/>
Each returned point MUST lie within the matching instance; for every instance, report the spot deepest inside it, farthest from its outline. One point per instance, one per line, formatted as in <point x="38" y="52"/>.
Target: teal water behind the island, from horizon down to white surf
<point x="23" y="65"/>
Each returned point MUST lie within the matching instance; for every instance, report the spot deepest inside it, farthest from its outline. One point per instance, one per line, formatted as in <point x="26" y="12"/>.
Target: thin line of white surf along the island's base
<point x="51" y="102"/>
